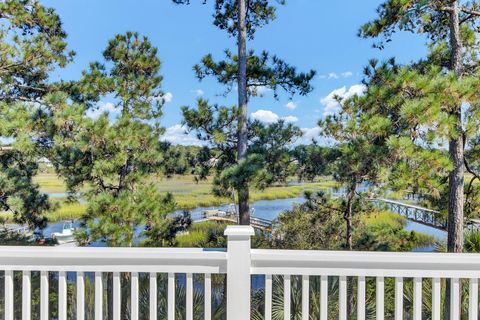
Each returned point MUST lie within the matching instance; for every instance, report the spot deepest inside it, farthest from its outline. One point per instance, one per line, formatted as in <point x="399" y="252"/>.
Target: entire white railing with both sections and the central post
<point x="239" y="263"/>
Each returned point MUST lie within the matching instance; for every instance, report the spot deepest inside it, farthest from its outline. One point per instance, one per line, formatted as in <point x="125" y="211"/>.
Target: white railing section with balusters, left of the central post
<point x="102" y="261"/>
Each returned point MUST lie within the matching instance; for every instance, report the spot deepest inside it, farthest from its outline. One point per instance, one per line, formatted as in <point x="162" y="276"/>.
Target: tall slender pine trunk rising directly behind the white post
<point x="243" y="194"/>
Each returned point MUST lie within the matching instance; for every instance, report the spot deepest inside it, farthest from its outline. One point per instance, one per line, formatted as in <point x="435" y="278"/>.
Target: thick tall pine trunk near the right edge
<point x="456" y="152"/>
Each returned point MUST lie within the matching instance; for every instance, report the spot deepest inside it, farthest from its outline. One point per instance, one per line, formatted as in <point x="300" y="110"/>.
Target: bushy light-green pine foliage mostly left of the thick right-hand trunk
<point x="406" y="111"/>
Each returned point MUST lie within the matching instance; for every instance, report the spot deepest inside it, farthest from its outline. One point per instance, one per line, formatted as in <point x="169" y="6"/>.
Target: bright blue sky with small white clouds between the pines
<point x="310" y="34"/>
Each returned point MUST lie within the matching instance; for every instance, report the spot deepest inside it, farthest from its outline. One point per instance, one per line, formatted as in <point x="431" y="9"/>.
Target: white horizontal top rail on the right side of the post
<point x="373" y="264"/>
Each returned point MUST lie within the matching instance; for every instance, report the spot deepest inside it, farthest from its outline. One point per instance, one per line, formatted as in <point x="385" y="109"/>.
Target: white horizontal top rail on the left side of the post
<point x="180" y="260"/>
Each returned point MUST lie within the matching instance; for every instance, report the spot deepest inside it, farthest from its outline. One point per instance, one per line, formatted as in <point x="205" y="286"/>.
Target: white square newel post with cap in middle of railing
<point x="238" y="272"/>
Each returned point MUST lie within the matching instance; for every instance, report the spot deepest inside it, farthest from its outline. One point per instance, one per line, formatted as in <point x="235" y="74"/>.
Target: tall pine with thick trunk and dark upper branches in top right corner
<point x="440" y="20"/>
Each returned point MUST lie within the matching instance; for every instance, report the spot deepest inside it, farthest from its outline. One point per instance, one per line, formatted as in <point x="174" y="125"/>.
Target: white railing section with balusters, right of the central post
<point x="358" y="266"/>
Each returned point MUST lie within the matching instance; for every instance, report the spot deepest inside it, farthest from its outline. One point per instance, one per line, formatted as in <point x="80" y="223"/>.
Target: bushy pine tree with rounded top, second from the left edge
<point x="118" y="156"/>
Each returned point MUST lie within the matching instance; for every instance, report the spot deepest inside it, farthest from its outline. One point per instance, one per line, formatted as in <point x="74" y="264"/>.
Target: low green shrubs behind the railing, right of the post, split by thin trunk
<point x="317" y="225"/>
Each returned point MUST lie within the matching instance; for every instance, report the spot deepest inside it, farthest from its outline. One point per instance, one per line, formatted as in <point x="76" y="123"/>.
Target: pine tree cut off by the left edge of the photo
<point x="32" y="45"/>
